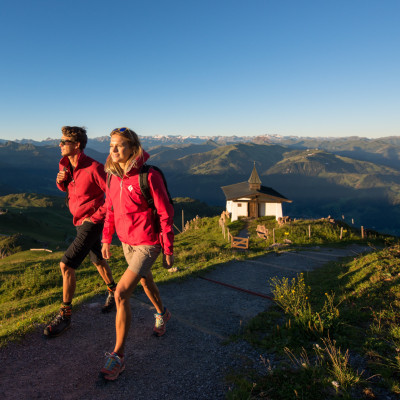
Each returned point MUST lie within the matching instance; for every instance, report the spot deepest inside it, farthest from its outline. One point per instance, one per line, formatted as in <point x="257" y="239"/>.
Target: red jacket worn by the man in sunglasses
<point x="86" y="186"/>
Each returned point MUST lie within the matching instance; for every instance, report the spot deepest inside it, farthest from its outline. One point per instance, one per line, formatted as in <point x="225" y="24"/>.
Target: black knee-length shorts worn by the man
<point x="87" y="241"/>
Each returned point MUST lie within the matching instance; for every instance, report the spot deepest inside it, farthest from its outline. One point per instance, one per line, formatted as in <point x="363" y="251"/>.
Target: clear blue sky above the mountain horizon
<point x="220" y="67"/>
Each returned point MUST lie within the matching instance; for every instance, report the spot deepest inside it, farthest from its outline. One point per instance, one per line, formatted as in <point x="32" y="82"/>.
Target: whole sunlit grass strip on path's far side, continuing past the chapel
<point x="31" y="283"/>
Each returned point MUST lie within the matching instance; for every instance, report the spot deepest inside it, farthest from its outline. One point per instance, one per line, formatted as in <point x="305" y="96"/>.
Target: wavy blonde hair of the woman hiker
<point x="137" y="152"/>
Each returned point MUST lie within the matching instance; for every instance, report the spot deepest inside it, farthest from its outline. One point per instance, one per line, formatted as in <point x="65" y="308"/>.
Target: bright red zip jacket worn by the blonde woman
<point x="129" y="214"/>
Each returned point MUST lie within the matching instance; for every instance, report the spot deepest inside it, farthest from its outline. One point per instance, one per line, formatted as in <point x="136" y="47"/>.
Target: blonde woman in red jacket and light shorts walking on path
<point x="143" y="233"/>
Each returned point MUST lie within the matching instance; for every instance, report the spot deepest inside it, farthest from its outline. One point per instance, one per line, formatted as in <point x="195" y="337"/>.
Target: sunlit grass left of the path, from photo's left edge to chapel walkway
<point x="31" y="283"/>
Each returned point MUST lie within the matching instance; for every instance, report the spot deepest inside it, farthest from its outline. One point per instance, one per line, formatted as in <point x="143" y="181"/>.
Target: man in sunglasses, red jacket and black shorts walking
<point x="84" y="181"/>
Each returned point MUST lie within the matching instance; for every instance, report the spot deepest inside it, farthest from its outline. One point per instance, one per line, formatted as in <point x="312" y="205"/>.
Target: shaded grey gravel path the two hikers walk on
<point x="189" y="362"/>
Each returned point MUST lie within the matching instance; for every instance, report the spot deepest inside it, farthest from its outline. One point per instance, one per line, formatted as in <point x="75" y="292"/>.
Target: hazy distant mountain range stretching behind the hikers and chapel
<point x="354" y="177"/>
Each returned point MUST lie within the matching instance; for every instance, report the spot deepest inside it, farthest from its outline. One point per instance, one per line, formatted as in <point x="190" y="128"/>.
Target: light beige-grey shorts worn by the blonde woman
<point x="140" y="259"/>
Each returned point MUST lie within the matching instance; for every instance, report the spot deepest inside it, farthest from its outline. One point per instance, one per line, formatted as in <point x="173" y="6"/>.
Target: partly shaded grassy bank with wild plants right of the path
<point x="355" y="356"/>
